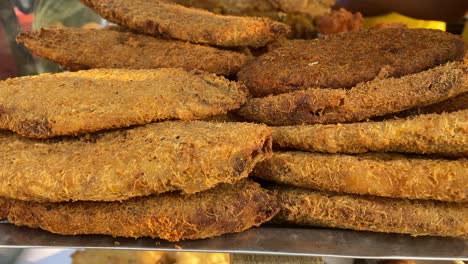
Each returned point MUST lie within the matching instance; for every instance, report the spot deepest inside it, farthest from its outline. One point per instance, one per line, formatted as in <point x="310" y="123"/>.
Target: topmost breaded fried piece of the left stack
<point x="164" y="18"/>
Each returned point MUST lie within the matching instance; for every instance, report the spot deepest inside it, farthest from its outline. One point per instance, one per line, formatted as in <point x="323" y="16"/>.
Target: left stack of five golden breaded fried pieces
<point x="100" y="150"/>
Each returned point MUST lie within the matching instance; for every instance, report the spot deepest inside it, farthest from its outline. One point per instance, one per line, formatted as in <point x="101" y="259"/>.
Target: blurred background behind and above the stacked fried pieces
<point x="321" y="17"/>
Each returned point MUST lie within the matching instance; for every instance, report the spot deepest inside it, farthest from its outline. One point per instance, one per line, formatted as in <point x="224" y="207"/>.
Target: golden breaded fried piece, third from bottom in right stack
<point x="441" y="134"/>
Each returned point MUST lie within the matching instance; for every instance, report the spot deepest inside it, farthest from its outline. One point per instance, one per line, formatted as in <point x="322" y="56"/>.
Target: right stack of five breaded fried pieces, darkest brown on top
<point x="334" y="167"/>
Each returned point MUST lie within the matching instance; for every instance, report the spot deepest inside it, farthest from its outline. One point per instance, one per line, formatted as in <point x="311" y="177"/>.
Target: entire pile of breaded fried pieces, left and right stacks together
<point x="118" y="147"/>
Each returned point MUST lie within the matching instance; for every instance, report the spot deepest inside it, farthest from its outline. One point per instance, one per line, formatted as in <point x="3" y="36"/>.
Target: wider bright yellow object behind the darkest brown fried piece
<point x="410" y="22"/>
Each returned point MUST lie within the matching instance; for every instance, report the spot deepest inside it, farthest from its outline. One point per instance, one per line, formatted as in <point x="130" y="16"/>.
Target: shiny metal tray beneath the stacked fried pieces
<point x="264" y="240"/>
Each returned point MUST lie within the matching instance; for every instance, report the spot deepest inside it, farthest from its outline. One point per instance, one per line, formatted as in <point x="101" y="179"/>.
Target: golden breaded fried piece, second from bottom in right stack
<point x="388" y="175"/>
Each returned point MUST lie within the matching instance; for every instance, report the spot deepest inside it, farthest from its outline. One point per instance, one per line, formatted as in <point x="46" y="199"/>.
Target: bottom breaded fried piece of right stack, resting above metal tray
<point x="370" y="213"/>
